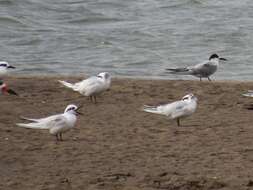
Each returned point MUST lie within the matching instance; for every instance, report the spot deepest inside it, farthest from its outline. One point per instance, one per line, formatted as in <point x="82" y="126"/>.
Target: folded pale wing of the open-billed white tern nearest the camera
<point x="44" y="123"/>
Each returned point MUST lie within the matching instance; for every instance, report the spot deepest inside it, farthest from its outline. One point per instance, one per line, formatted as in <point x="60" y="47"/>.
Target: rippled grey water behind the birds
<point x="133" y="38"/>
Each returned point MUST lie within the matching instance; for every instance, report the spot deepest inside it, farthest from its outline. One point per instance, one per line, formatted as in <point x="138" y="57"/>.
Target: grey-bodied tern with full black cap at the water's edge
<point x="201" y="70"/>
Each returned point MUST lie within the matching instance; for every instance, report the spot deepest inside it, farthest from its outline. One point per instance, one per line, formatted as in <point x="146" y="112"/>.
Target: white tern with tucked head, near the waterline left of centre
<point x="91" y="86"/>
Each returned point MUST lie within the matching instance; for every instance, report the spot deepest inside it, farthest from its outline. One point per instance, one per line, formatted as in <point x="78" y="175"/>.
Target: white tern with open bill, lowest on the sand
<point x="57" y="124"/>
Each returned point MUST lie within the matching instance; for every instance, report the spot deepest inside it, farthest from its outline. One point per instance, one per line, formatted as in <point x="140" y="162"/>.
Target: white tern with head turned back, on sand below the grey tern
<point x="175" y="110"/>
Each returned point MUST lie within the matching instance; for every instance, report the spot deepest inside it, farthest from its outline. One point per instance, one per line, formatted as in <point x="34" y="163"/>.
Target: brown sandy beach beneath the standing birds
<point x="116" y="146"/>
